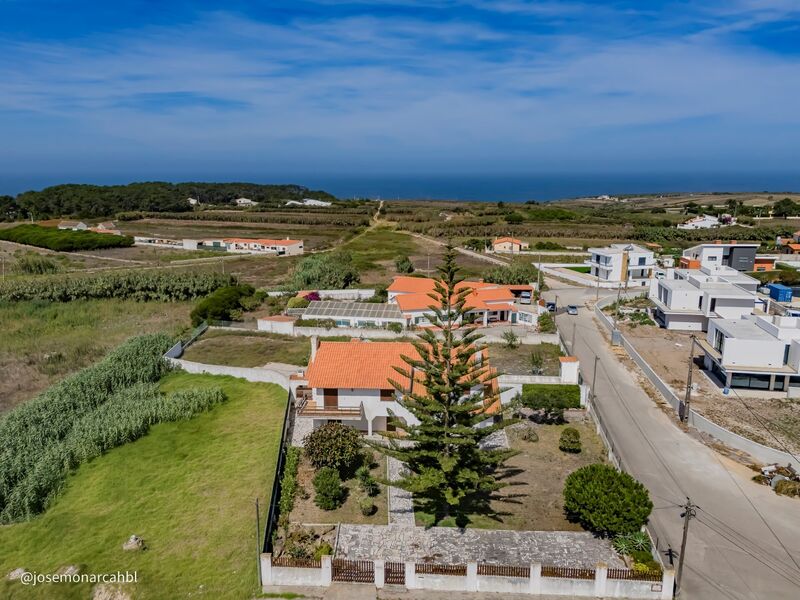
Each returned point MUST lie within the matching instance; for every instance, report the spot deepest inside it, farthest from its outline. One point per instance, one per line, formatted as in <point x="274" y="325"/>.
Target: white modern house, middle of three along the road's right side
<point x="687" y="299"/>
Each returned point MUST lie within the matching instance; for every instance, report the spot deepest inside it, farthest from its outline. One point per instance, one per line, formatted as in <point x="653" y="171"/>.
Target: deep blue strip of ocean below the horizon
<point x="484" y="188"/>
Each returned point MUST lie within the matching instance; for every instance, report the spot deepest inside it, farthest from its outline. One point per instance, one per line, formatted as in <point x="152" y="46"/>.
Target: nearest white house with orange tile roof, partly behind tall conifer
<point x="351" y="382"/>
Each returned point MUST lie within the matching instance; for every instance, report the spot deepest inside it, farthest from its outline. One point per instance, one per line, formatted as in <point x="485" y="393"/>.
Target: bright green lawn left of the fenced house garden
<point x="186" y="488"/>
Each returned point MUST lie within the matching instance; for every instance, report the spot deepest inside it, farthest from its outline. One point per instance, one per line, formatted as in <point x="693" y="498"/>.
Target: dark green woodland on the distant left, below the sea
<point x="88" y="201"/>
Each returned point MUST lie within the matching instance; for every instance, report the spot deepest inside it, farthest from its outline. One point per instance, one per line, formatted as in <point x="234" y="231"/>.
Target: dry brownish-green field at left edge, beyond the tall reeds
<point x="43" y="342"/>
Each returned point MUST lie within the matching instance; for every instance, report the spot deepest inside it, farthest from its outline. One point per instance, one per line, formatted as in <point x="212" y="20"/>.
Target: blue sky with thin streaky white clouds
<point x="101" y="91"/>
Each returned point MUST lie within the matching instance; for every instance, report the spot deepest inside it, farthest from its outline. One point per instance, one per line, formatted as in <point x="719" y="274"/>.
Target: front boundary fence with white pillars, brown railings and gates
<point x="533" y="579"/>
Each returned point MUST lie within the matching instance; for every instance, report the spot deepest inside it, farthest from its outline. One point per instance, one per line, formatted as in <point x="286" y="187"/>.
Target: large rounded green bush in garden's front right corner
<point x="606" y="501"/>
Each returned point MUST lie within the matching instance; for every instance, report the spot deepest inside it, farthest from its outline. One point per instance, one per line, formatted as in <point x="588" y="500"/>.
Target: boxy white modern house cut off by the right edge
<point x="754" y="352"/>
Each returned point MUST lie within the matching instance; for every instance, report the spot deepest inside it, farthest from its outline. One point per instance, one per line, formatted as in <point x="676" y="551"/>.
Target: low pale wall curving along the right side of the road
<point x="758" y="451"/>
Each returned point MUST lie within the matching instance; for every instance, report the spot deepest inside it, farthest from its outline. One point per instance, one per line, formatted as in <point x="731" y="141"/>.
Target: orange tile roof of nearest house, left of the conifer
<point x="358" y="364"/>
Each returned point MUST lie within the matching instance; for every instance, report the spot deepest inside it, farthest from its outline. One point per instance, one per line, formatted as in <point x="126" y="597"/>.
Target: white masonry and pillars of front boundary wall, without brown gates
<point x="535" y="584"/>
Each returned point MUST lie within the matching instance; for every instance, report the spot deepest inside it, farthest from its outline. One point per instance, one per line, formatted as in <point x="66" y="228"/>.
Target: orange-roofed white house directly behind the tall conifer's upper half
<point x="487" y="303"/>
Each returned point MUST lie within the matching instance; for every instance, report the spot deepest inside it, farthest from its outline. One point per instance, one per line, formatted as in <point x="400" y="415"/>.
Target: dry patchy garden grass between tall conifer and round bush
<point x="533" y="499"/>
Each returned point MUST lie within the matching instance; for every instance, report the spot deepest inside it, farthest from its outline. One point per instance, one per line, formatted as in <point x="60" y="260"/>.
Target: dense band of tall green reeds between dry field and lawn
<point x="33" y="458"/>
